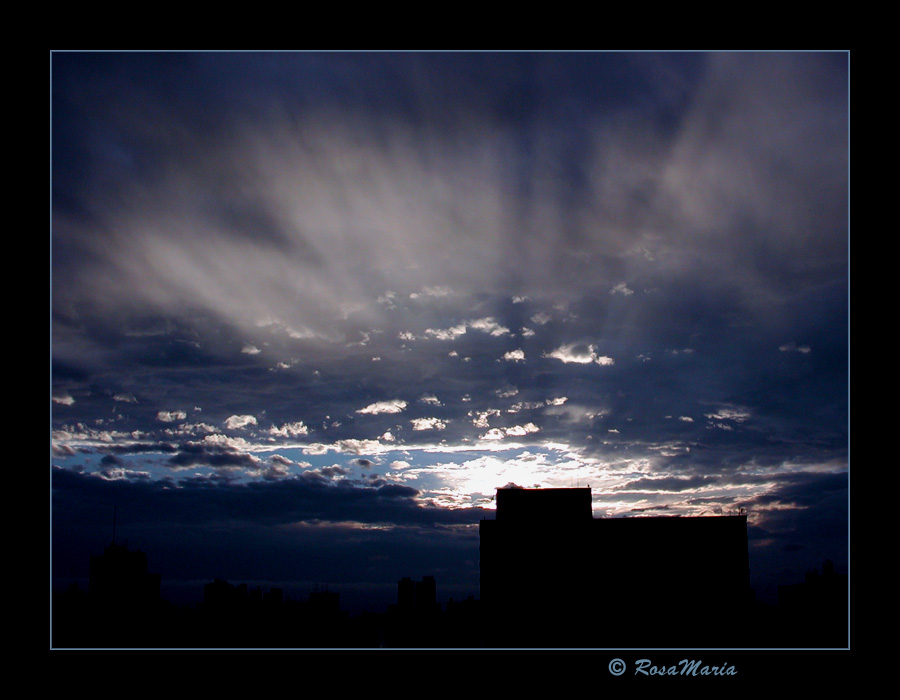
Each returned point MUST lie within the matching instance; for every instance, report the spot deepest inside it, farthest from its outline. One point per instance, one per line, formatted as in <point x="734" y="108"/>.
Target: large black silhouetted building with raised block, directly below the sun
<point x="552" y="575"/>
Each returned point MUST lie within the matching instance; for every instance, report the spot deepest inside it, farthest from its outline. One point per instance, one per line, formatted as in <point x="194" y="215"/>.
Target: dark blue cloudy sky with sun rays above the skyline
<point x="310" y="310"/>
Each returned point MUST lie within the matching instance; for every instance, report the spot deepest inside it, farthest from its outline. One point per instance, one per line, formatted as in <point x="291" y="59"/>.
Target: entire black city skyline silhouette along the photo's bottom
<point x="552" y="576"/>
